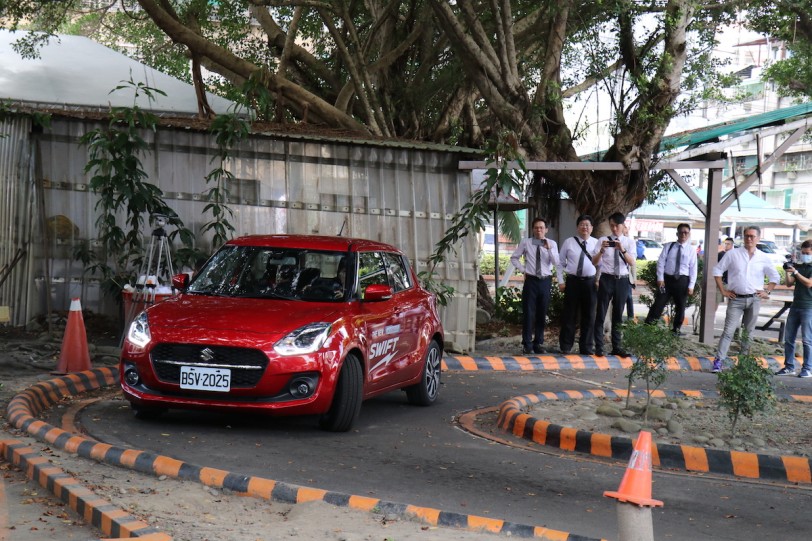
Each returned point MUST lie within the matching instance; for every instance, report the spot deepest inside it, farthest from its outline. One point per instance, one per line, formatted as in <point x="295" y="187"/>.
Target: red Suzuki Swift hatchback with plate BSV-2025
<point x="287" y="324"/>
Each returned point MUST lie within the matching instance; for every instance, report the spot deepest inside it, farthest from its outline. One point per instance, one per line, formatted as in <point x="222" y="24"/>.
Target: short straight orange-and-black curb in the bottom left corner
<point x="109" y="519"/>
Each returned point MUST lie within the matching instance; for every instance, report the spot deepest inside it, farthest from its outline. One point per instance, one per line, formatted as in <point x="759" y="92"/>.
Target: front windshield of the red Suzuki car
<point x="268" y="272"/>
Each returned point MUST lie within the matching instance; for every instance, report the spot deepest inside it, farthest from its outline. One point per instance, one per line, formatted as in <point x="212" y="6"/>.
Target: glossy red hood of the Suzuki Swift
<point x="270" y="317"/>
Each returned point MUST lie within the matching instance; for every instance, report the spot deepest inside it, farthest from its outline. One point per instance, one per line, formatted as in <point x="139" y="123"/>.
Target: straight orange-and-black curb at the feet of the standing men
<point x="576" y="362"/>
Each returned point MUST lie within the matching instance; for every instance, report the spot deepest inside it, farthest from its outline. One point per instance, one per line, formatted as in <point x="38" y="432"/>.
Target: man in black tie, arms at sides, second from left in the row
<point x="579" y="290"/>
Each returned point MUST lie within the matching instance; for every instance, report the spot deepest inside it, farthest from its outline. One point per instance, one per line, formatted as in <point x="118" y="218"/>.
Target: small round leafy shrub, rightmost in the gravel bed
<point x="745" y="388"/>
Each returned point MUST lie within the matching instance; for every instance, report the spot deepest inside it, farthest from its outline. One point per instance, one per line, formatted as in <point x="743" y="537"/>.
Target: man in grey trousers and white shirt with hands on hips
<point x="746" y="268"/>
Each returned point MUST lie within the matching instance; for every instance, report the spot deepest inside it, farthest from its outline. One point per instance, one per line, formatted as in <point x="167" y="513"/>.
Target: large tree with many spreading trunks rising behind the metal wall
<point x="456" y="72"/>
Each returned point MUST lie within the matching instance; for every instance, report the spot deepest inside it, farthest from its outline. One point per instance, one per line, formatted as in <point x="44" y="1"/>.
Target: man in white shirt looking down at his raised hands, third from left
<point x="614" y="258"/>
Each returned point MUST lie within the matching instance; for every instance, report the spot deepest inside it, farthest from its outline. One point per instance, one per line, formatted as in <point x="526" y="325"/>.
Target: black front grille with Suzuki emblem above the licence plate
<point x="246" y="365"/>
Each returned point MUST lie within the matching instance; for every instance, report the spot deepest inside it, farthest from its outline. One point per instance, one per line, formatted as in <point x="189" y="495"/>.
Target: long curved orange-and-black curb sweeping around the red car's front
<point x="24" y="406"/>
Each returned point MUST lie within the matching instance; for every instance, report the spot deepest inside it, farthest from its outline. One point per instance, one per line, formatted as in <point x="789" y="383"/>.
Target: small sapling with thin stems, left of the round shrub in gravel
<point x="652" y="345"/>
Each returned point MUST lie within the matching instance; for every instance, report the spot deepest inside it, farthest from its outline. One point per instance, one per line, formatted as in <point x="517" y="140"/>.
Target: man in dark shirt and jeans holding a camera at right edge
<point x="800" y="313"/>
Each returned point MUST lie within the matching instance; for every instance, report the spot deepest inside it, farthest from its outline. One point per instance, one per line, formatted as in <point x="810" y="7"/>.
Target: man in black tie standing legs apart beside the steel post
<point x="676" y="277"/>
